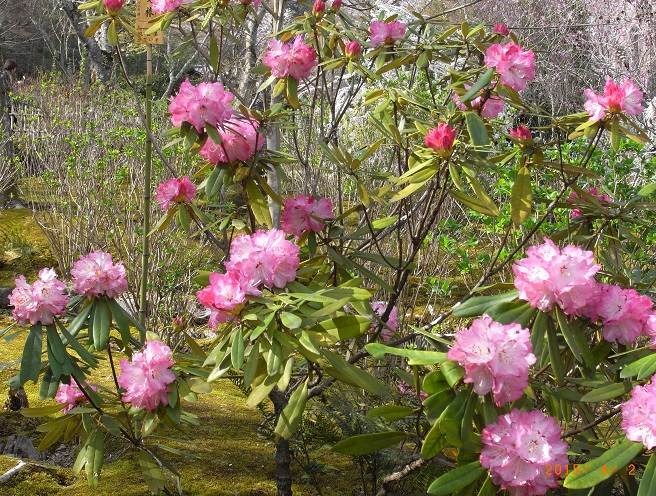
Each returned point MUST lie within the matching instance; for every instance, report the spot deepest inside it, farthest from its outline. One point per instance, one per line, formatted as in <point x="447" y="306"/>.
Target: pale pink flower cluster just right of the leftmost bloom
<point x="96" y="275"/>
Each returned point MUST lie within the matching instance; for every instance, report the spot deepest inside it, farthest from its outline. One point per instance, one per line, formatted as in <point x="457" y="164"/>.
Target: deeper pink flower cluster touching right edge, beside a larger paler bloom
<point x="624" y="313"/>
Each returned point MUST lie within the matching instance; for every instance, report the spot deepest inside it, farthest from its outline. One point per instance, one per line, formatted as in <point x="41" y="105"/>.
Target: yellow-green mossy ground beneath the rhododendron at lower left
<point x="230" y="459"/>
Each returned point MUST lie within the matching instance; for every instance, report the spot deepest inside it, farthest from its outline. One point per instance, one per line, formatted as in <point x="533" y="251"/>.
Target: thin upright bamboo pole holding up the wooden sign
<point x="145" y="253"/>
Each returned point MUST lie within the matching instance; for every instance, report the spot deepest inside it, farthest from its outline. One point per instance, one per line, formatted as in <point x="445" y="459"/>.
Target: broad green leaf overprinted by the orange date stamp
<point x="595" y="471"/>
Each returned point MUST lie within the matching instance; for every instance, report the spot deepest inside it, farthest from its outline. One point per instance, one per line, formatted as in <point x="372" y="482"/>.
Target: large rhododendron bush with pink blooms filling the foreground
<point x="538" y="377"/>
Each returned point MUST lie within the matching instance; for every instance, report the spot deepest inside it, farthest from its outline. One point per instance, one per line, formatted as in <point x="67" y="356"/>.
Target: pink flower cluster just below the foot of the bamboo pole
<point x="147" y="376"/>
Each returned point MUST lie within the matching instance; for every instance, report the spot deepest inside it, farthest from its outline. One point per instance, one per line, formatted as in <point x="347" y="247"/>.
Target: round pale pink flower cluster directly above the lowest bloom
<point x="496" y="358"/>
